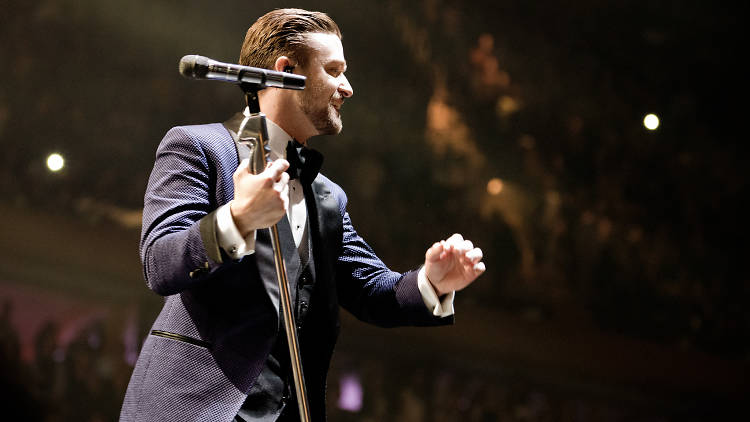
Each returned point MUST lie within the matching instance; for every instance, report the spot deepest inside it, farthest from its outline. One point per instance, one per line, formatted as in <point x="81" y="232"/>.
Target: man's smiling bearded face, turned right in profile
<point x="326" y="86"/>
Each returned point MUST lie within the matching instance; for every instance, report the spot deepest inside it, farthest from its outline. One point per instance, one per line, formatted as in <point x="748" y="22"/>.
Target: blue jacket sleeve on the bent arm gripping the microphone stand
<point x="178" y="239"/>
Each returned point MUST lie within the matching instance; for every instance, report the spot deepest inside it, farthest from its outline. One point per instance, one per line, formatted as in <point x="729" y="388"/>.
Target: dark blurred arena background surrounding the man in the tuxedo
<point x="617" y="284"/>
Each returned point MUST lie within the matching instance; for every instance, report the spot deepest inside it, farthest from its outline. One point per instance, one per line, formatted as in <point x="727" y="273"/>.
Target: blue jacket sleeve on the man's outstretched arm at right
<point x="371" y="291"/>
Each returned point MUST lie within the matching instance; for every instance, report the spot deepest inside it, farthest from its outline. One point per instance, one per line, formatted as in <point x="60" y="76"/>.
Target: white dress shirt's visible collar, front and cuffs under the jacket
<point x="232" y="242"/>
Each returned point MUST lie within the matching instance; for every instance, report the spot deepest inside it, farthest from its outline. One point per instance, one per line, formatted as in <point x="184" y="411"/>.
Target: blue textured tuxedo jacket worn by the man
<point x="220" y="316"/>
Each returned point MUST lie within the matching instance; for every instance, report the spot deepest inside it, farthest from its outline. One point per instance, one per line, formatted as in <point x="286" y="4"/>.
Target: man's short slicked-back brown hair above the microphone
<point x="281" y="32"/>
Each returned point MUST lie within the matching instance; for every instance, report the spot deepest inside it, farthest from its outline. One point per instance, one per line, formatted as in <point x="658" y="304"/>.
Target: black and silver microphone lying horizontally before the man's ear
<point x="199" y="67"/>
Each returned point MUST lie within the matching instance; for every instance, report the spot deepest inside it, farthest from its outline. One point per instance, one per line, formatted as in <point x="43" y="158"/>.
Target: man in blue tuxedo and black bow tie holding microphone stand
<point x="217" y="351"/>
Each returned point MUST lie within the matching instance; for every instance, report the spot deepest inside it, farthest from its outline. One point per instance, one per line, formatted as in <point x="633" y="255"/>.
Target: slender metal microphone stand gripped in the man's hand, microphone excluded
<point x="254" y="133"/>
